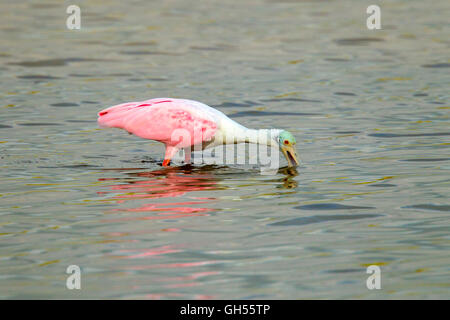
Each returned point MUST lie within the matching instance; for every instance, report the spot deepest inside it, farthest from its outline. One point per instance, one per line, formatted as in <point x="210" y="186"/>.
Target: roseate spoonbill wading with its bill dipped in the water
<point x="158" y="119"/>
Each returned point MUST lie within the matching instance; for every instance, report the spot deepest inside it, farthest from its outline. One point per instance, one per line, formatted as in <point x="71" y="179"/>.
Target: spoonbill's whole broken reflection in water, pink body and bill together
<point x="152" y="195"/>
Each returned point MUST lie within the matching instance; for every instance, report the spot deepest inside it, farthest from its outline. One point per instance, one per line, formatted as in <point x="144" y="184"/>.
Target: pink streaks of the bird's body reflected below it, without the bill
<point x="156" y="186"/>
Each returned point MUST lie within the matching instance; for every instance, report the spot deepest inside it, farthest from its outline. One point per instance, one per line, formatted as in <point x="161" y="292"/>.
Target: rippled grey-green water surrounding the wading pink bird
<point x="369" y="110"/>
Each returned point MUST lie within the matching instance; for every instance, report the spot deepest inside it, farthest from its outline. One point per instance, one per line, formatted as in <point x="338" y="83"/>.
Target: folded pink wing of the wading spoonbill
<point x="171" y="121"/>
